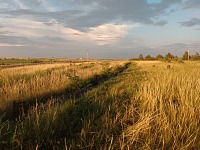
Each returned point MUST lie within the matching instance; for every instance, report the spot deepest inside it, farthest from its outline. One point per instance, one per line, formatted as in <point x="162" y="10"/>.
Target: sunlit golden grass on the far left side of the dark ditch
<point x="28" y="82"/>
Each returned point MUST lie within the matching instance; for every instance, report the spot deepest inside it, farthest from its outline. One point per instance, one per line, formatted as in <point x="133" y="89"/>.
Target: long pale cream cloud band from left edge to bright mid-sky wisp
<point x="100" y="35"/>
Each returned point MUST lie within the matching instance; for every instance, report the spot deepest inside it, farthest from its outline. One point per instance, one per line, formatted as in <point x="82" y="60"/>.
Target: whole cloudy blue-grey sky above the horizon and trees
<point x="105" y="28"/>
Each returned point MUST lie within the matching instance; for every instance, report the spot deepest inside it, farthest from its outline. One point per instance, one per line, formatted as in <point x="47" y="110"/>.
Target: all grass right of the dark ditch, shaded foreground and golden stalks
<point x="160" y="110"/>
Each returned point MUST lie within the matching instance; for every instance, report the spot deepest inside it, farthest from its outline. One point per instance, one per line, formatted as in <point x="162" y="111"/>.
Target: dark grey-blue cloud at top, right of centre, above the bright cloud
<point x="135" y="11"/>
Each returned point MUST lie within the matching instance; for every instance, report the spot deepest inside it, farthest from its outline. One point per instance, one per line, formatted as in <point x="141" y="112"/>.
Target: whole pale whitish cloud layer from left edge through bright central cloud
<point x="30" y="32"/>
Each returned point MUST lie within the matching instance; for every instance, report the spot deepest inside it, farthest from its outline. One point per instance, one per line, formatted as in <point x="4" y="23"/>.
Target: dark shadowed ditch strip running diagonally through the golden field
<point x="75" y="90"/>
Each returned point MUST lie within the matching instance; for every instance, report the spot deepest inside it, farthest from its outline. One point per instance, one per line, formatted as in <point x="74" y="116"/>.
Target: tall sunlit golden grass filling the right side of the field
<point x="168" y="105"/>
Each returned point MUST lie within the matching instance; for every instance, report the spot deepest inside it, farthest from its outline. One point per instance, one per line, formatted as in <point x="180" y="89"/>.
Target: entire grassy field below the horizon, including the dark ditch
<point x="101" y="105"/>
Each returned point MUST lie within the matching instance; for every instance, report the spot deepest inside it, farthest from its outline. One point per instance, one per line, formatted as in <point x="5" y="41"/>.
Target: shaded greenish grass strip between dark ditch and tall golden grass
<point x="66" y="125"/>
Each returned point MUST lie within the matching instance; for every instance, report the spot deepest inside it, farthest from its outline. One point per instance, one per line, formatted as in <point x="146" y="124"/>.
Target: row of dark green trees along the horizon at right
<point x="169" y="57"/>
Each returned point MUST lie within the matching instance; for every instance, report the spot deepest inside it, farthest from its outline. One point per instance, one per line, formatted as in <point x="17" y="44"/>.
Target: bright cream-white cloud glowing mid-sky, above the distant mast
<point x="101" y="35"/>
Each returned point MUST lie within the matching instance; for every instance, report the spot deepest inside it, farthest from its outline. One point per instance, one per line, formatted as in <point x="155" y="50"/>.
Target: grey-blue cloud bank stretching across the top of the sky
<point x="90" y="13"/>
